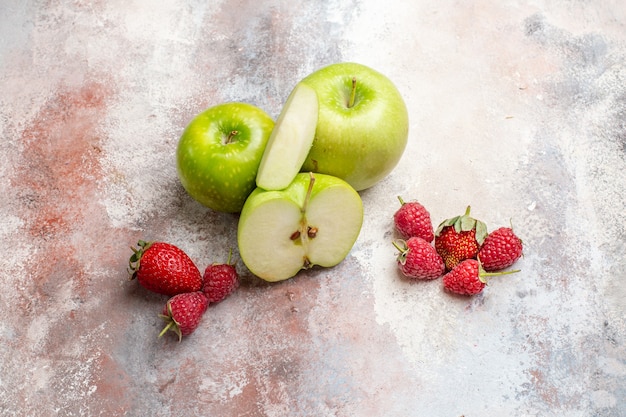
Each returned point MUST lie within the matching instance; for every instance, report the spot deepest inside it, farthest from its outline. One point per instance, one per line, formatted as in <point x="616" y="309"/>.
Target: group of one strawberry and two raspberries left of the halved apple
<point x="166" y="269"/>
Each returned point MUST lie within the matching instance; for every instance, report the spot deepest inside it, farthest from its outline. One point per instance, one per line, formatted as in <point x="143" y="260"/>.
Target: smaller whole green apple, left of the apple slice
<point x="219" y="153"/>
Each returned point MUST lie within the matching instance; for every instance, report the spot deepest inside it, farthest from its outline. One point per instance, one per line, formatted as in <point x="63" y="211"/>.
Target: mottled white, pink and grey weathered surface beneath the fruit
<point x="517" y="108"/>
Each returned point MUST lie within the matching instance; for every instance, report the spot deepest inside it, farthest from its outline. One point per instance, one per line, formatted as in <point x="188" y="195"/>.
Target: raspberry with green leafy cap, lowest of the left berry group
<point x="183" y="312"/>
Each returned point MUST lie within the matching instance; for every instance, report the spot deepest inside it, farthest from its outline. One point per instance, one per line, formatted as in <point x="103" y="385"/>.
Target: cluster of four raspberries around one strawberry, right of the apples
<point x="463" y="251"/>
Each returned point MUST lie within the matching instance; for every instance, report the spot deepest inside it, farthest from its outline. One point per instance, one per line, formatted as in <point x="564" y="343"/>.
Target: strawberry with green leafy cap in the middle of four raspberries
<point x="459" y="238"/>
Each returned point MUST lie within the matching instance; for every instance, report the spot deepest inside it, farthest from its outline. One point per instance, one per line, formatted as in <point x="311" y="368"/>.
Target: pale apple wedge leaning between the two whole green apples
<point x="290" y="140"/>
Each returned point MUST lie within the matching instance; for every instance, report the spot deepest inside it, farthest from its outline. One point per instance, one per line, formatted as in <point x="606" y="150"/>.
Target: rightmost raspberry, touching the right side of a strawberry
<point x="500" y="250"/>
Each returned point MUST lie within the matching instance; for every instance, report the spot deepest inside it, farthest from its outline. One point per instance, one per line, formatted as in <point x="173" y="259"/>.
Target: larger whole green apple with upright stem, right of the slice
<point x="363" y="143"/>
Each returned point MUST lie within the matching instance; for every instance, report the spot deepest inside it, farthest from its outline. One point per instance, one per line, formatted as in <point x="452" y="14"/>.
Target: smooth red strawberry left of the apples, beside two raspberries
<point x="164" y="268"/>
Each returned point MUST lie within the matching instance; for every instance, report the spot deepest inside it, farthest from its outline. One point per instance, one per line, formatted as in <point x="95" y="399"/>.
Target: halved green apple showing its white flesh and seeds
<point x="314" y="221"/>
